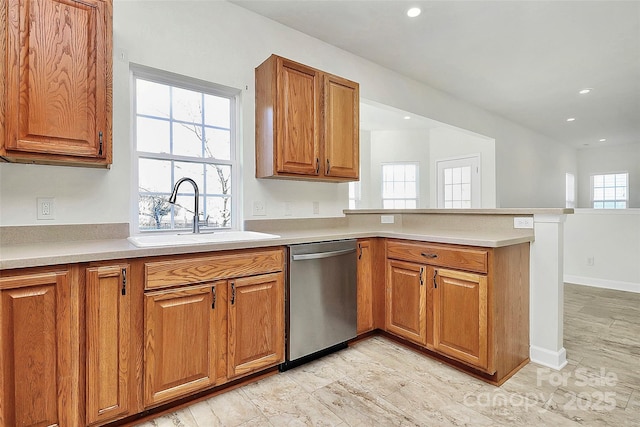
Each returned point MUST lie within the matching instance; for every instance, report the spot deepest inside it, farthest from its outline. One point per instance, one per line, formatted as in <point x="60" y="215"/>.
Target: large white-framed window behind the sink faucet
<point x="183" y="128"/>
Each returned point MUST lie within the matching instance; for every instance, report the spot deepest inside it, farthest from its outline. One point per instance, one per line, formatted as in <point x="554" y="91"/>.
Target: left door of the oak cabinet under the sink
<point x="180" y="337"/>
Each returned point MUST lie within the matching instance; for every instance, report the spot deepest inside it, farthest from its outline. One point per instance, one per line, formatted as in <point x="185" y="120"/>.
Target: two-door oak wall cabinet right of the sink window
<point x="307" y="123"/>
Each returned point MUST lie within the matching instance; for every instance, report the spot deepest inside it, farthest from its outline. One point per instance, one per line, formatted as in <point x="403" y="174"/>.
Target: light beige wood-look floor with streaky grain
<point x="379" y="383"/>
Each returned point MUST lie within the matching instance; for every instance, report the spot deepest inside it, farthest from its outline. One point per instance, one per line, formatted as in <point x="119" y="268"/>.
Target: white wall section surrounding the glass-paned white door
<point x="447" y="143"/>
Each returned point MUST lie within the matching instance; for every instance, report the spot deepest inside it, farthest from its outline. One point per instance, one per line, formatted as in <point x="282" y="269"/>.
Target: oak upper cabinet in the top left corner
<point x="58" y="82"/>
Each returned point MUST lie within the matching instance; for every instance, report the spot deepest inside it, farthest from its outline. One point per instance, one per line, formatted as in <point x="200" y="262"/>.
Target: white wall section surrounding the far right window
<point x="608" y="159"/>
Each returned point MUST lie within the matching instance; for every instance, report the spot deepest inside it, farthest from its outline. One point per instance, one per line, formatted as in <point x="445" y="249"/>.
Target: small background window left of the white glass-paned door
<point x="400" y="186"/>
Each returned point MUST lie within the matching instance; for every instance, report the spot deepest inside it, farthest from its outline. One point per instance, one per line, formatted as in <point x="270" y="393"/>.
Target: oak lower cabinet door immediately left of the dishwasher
<point x="256" y="323"/>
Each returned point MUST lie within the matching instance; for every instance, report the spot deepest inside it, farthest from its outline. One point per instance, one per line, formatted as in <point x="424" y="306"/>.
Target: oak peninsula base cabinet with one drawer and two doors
<point x="469" y="304"/>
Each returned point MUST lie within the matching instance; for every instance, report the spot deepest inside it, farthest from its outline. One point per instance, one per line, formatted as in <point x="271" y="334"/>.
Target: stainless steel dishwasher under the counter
<point x="321" y="299"/>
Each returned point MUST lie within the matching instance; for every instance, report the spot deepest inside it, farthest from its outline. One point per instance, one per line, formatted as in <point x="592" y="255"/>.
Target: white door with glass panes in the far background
<point x="458" y="183"/>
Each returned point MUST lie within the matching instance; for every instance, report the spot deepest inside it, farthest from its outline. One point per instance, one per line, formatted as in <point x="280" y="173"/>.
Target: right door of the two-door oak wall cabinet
<point x="341" y="127"/>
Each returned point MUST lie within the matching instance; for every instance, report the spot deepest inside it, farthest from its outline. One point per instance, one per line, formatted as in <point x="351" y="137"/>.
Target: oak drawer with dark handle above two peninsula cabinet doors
<point x="460" y="258"/>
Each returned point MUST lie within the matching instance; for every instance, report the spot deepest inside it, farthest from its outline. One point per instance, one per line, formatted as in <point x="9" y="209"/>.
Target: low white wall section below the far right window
<point x="612" y="239"/>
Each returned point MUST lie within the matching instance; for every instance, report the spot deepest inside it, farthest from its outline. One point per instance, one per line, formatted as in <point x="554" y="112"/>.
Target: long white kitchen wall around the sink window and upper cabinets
<point x="220" y="42"/>
